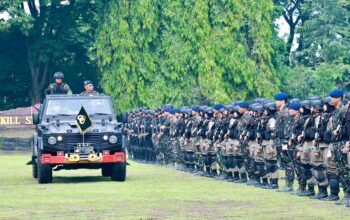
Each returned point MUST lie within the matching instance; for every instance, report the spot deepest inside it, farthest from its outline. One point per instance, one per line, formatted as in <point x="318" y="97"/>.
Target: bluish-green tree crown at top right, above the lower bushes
<point x="325" y="34"/>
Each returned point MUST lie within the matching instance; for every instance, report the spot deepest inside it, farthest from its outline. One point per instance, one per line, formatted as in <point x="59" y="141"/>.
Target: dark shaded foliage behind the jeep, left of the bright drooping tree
<point x="40" y="38"/>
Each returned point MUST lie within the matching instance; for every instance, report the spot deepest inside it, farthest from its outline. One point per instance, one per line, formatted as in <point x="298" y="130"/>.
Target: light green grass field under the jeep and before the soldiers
<point x="150" y="192"/>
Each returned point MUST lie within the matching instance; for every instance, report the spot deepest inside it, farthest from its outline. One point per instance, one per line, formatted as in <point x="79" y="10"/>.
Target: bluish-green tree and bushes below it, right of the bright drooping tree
<point x="323" y="54"/>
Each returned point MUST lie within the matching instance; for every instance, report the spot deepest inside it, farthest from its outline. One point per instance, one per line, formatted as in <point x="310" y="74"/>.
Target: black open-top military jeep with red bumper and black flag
<point x="61" y="141"/>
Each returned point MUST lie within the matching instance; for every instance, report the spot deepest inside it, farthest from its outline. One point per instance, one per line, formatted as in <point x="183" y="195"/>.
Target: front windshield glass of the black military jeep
<point x="69" y="107"/>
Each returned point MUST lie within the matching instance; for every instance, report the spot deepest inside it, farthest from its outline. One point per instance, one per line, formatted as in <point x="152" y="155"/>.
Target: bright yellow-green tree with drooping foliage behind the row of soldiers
<point x="185" y="52"/>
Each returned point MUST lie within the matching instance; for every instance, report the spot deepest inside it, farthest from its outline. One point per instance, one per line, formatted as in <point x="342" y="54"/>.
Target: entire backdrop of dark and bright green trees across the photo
<point x="183" y="52"/>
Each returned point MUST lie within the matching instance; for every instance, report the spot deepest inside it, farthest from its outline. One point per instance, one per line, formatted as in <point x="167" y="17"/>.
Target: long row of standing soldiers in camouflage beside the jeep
<point x="241" y="142"/>
